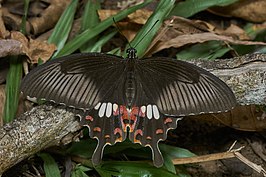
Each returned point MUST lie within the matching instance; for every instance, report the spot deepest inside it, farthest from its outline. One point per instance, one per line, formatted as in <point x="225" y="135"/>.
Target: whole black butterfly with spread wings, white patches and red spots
<point x="129" y="97"/>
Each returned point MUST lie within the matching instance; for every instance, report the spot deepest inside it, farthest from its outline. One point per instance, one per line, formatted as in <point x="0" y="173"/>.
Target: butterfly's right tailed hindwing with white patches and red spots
<point x="148" y="127"/>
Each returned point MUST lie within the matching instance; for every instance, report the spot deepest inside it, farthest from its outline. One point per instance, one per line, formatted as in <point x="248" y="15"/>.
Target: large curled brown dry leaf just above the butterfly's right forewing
<point x="179" y="31"/>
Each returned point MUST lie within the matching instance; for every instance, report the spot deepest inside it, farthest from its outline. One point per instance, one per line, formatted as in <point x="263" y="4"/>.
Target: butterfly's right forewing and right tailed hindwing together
<point x="168" y="89"/>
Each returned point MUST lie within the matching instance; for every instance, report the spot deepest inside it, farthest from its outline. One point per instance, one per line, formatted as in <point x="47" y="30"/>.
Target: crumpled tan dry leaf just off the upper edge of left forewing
<point x="34" y="49"/>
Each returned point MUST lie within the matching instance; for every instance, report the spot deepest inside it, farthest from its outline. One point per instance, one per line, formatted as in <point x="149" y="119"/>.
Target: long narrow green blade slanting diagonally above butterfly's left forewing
<point x="88" y="34"/>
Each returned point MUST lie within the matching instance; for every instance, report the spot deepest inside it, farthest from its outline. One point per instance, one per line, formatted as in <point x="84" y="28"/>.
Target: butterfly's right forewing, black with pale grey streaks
<point x="179" y="88"/>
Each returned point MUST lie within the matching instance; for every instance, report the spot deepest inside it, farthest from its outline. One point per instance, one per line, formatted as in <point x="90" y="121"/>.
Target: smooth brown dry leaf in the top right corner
<point x="251" y="10"/>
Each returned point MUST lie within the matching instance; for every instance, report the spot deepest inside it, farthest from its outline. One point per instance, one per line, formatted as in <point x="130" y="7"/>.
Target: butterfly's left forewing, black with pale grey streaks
<point x="80" y="80"/>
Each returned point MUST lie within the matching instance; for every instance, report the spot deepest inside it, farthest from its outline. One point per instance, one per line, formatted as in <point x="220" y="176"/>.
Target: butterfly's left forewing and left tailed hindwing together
<point x="91" y="82"/>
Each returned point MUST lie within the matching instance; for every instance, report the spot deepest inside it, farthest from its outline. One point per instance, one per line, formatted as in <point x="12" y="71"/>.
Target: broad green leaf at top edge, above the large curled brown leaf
<point x="190" y="7"/>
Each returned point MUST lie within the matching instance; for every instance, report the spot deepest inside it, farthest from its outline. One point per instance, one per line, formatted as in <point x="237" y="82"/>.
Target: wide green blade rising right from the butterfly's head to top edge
<point x="149" y="30"/>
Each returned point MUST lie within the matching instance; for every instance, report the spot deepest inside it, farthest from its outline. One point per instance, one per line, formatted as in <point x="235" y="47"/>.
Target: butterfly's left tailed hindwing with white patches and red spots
<point x="106" y="124"/>
